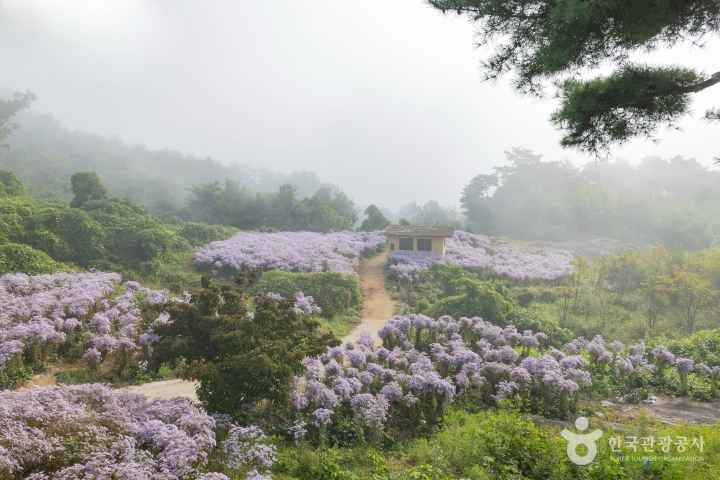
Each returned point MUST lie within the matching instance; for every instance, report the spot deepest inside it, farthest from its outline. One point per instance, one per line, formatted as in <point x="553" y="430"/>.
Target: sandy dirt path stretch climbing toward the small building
<point x="378" y="307"/>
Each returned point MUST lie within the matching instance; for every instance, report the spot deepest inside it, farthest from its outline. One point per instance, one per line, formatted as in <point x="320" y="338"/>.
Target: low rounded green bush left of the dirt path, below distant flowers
<point x="335" y="293"/>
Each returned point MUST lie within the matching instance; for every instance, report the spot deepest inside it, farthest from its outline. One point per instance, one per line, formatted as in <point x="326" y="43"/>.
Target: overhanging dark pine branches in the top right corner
<point x="544" y="40"/>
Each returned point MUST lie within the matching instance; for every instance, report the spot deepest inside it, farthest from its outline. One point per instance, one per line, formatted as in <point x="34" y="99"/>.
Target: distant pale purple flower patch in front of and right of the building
<point x="483" y="253"/>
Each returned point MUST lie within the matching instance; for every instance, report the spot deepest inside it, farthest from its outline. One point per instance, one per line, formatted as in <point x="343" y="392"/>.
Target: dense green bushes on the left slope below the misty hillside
<point x="109" y="234"/>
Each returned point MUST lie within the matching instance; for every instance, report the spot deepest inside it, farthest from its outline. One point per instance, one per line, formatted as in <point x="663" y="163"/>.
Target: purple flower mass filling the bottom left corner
<point x="91" y="431"/>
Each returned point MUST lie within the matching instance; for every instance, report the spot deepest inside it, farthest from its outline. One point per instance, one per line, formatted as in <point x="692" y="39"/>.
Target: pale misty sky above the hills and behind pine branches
<point x="383" y="98"/>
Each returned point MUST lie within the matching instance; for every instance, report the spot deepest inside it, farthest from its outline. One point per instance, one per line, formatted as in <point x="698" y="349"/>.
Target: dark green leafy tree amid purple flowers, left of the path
<point x="245" y="359"/>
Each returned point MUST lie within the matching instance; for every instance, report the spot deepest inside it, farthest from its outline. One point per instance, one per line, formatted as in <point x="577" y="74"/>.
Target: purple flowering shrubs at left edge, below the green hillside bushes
<point x="89" y="315"/>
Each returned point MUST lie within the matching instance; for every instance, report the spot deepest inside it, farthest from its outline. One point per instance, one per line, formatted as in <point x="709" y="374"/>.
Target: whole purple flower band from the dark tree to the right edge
<point x="424" y="365"/>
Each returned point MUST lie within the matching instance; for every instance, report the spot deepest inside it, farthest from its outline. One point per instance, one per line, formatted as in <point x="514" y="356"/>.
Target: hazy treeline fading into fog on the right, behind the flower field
<point x="675" y="202"/>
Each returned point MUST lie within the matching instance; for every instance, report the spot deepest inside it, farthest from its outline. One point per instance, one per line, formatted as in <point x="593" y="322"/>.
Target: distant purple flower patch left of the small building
<point x="289" y="251"/>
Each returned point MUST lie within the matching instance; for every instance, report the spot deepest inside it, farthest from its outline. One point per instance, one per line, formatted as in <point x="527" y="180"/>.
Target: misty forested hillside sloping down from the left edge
<point x="44" y="154"/>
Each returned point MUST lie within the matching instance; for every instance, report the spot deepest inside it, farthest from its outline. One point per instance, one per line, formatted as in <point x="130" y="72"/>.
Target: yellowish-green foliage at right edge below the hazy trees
<point x="634" y="295"/>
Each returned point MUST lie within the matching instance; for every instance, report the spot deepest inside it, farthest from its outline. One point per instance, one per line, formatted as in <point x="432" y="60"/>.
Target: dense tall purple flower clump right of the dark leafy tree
<point x="424" y="365"/>
